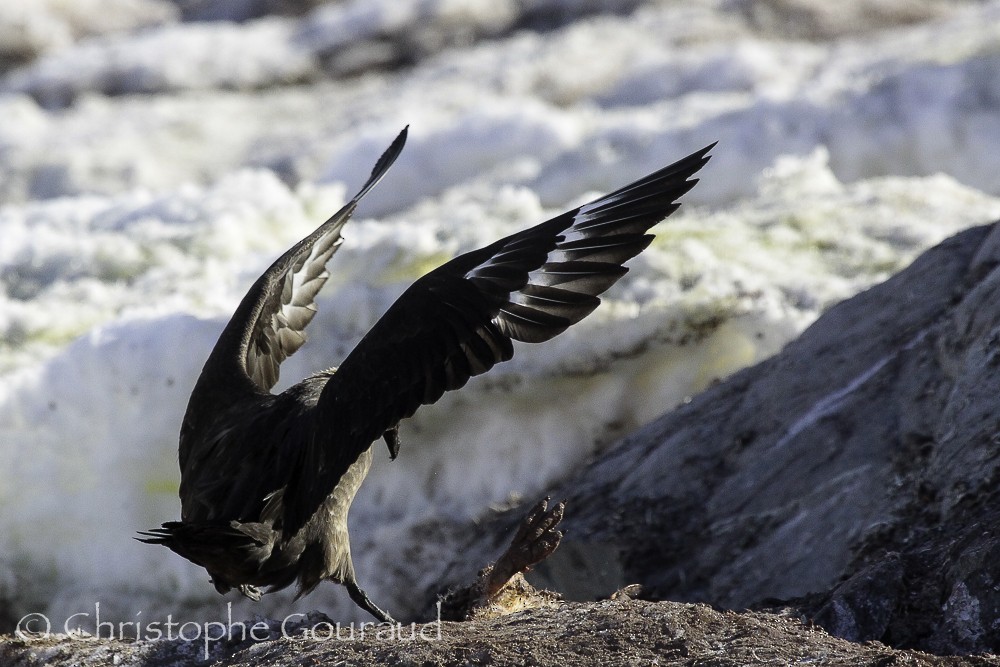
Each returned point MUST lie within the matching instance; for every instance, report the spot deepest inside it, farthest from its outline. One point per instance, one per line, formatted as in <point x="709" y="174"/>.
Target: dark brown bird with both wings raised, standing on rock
<point x="267" y="480"/>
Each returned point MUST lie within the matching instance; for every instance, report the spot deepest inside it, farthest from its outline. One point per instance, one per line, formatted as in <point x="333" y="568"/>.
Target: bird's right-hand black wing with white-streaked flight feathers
<point x="459" y="320"/>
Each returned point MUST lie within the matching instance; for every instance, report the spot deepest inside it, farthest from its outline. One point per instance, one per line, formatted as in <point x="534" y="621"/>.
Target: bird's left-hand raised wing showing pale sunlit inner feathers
<point x="269" y="324"/>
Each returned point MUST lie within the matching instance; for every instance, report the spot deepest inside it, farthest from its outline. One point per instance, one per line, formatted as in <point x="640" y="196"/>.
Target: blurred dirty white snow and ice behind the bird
<point x="152" y="168"/>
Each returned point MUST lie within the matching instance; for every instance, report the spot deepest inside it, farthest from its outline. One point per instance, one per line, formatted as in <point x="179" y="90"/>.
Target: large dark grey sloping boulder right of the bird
<point x="853" y="476"/>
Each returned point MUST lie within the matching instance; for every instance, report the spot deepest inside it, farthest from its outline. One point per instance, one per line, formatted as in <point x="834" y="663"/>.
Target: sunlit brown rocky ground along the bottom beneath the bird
<point x="619" y="632"/>
